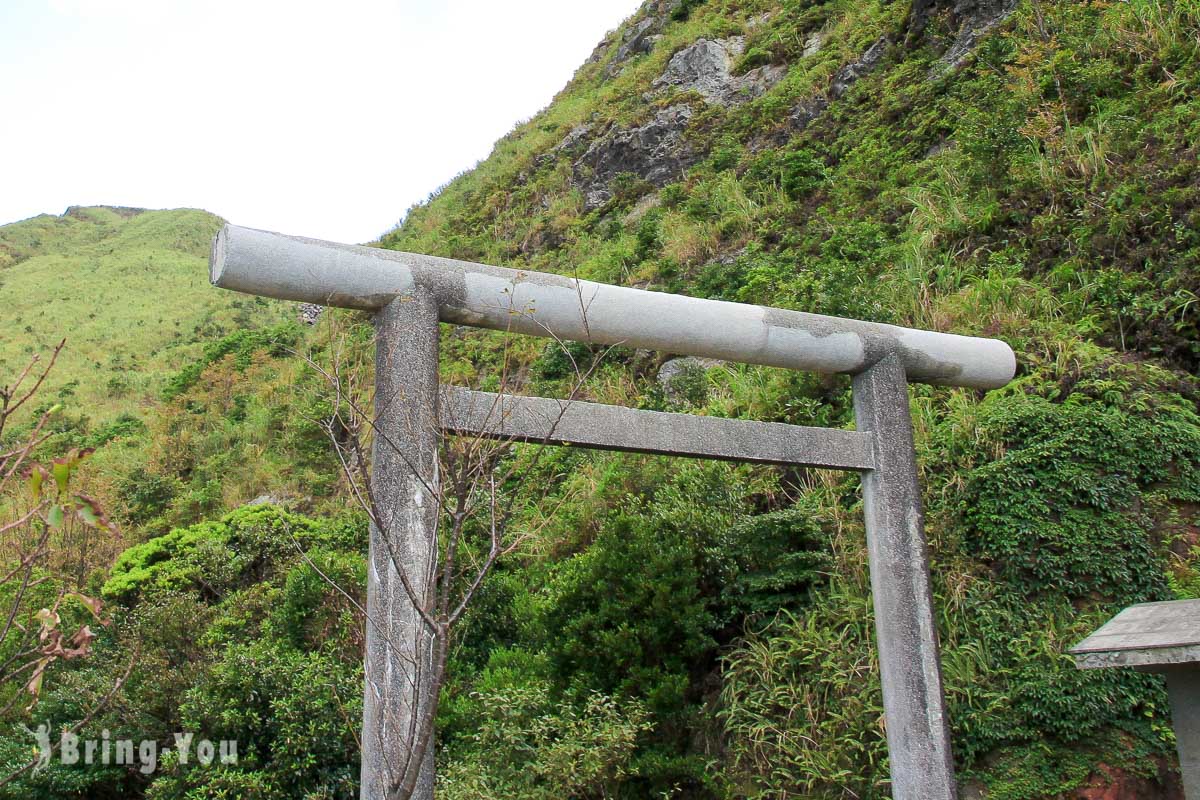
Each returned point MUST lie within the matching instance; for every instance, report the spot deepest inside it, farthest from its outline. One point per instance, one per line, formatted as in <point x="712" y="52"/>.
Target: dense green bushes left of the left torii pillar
<point x="233" y="636"/>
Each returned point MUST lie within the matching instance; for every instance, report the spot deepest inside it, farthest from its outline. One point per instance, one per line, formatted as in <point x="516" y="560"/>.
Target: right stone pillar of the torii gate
<point x="914" y="705"/>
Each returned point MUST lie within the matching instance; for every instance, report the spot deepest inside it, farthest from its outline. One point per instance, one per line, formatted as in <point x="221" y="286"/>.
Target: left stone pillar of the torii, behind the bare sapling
<point x="405" y="480"/>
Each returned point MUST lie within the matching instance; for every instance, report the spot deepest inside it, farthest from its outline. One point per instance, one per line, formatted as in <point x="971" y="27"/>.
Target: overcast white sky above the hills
<point x="325" y="118"/>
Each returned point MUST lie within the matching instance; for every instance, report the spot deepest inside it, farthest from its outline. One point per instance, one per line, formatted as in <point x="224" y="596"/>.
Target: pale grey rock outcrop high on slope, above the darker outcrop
<point x="706" y="68"/>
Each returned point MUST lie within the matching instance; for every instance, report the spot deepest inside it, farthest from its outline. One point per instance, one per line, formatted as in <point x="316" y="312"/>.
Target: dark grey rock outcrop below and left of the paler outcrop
<point x="656" y="153"/>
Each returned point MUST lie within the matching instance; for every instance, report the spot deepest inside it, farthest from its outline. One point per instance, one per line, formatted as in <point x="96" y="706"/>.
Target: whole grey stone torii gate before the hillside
<point x="411" y="294"/>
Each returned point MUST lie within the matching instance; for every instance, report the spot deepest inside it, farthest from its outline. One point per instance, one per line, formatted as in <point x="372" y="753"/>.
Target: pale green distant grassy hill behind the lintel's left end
<point x="129" y="291"/>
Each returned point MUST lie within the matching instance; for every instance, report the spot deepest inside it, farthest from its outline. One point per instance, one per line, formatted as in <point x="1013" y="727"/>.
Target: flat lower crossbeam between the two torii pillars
<point x="596" y="426"/>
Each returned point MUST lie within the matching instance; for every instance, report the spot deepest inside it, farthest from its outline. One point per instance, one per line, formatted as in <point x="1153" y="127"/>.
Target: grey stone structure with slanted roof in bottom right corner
<point x="1162" y="639"/>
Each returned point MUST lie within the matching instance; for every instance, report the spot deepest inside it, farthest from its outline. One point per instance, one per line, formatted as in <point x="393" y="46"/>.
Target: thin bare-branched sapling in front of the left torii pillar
<point x="478" y="485"/>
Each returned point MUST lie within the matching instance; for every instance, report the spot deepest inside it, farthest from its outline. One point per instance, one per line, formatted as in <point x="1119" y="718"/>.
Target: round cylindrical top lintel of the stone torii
<point x="539" y="304"/>
